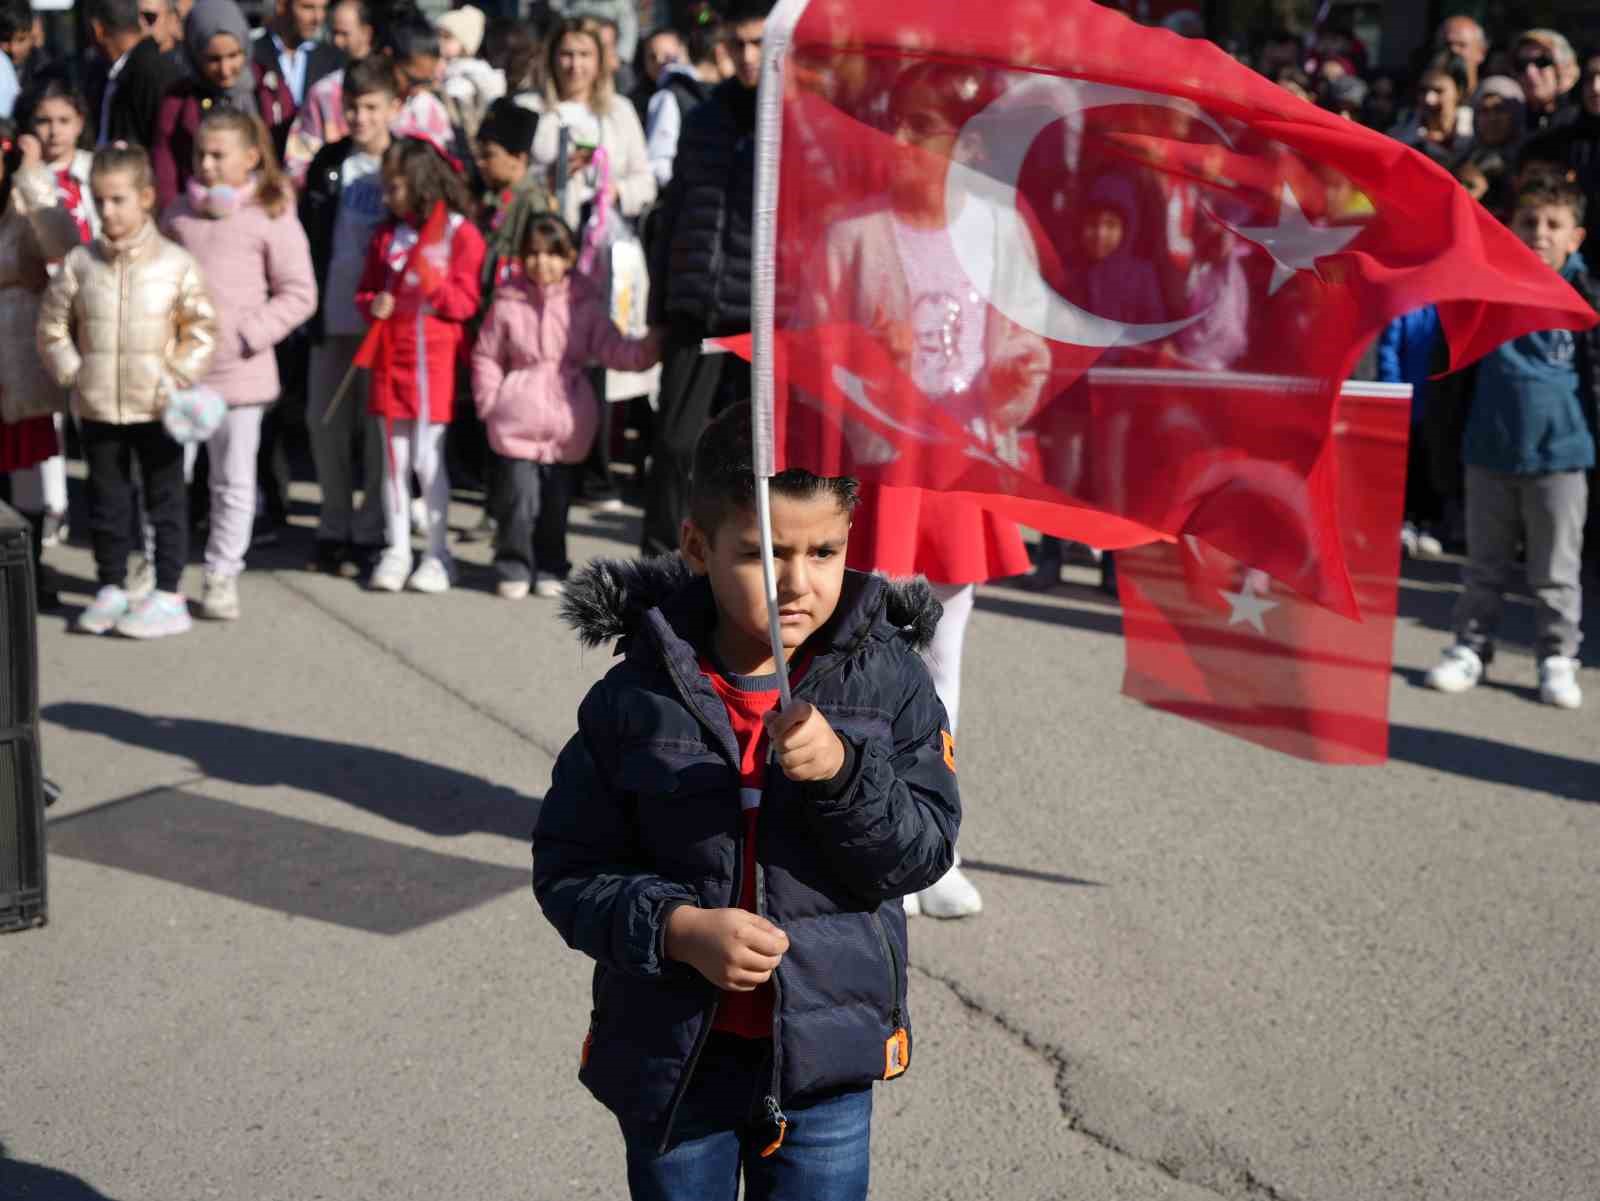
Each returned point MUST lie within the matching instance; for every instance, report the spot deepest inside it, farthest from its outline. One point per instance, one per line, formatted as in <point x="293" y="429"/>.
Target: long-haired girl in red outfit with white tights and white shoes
<point x="415" y="372"/>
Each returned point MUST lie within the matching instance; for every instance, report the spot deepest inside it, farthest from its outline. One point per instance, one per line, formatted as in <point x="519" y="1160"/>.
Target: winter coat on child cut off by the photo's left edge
<point x="34" y="231"/>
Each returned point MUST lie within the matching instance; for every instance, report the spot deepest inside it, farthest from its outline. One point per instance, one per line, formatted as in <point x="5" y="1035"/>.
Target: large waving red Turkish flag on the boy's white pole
<point x="982" y="212"/>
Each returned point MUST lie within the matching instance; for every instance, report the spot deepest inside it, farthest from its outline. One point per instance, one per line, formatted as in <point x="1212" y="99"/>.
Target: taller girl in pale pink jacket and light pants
<point x="238" y="218"/>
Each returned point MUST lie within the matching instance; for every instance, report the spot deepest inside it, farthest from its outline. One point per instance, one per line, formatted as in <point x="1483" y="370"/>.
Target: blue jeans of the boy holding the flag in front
<point x="722" y="1128"/>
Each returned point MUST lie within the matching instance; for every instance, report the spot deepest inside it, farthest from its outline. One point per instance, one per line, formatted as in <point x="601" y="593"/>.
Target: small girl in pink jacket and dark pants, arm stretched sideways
<point x="535" y="399"/>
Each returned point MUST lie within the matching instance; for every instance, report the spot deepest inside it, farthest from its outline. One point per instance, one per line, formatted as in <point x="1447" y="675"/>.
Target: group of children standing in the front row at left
<point x="162" y="322"/>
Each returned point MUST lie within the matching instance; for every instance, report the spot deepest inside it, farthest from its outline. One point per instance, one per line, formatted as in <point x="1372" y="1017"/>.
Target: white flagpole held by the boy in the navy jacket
<point x="769" y="151"/>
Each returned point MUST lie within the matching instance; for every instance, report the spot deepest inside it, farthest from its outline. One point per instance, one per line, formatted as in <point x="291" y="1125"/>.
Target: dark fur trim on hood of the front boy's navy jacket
<point x="612" y="599"/>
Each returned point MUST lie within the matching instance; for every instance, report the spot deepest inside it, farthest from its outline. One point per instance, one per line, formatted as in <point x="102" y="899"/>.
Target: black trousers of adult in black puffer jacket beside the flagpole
<point x="695" y="389"/>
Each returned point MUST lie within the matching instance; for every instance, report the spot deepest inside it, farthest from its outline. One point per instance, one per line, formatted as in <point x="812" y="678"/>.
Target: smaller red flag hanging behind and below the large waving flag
<point x="1223" y="644"/>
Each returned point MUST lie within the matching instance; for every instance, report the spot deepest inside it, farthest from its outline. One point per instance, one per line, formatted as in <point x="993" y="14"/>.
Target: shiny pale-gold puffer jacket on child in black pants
<point x="122" y="322"/>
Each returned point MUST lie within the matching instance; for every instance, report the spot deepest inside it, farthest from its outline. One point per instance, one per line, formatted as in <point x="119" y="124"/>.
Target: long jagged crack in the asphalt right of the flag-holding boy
<point x="1183" y="1151"/>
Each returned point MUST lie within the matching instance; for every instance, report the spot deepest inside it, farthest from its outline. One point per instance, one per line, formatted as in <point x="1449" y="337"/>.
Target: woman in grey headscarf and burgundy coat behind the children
<point x="217" y="39"/>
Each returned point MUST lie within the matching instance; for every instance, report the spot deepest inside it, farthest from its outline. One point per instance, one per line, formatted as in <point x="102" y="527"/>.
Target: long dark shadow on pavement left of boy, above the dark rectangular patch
<point x="412" y="792"/>
